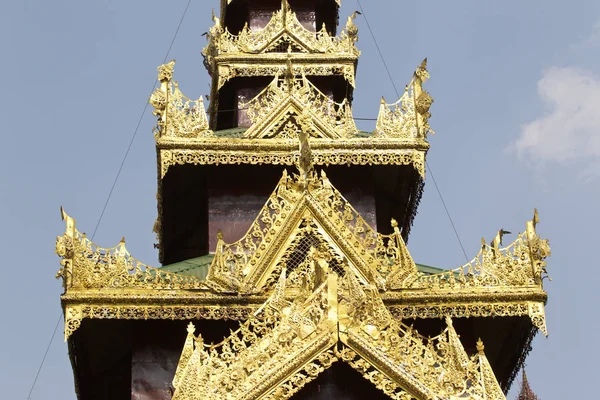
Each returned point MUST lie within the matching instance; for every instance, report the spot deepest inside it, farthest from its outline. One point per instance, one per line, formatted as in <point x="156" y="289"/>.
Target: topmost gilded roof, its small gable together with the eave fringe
<point x="258" y="52"/>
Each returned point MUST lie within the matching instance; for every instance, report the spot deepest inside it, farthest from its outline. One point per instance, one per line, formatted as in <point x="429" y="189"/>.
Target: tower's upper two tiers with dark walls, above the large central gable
<point x="278" y="70"/>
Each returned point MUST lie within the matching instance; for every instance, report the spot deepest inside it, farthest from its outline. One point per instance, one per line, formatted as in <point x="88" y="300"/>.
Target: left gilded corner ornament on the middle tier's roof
<point x="178" y="116"/>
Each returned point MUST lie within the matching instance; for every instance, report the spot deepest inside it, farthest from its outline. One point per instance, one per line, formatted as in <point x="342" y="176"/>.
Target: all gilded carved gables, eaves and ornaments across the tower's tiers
<point x="342" y="300"/>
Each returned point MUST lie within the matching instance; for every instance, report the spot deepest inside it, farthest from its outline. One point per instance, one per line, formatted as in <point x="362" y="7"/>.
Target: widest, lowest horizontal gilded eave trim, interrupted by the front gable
<point x="189" y="305"/>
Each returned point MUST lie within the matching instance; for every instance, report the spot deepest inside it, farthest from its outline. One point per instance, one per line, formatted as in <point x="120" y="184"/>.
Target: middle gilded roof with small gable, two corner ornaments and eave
<point x="287" y="105"/>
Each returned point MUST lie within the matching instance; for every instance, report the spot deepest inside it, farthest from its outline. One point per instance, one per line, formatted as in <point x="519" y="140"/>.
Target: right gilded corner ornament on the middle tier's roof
<point x="407" y="118"/>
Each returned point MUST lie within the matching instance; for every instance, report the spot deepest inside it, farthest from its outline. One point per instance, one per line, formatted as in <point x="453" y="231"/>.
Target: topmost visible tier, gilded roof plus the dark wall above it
<point x="257" y="39"/>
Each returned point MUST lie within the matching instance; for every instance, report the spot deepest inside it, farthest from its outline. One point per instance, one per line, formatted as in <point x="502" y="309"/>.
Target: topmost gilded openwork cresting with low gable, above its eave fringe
<point x="283" y="29"/>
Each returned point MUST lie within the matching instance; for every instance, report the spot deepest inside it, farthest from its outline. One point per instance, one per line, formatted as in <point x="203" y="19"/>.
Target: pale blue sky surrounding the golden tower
<point x="517" y="93"/>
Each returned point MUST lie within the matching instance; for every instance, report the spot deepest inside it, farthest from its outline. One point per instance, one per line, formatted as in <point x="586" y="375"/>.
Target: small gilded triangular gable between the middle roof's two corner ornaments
<point x="284" y="100"/>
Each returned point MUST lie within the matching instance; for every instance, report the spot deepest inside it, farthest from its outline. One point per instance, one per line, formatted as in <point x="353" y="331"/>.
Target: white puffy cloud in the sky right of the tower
<point x="570" y="129"/>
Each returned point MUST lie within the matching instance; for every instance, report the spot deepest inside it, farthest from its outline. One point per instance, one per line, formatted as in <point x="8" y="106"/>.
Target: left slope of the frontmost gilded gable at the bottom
<point x="280" y="348"/>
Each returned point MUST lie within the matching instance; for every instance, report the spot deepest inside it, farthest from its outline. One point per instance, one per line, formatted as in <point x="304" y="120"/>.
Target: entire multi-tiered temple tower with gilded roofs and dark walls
<point x="282" y="231"/>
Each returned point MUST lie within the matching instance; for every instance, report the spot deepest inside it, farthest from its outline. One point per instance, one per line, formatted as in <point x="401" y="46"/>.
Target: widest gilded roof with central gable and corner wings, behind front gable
<point x="110" y="283"/>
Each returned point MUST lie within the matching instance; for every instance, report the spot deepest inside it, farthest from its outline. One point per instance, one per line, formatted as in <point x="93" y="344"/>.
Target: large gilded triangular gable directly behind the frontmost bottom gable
<point x="247" y="266"/>
